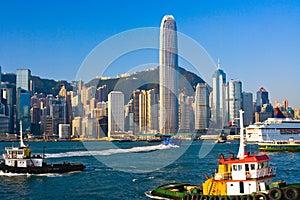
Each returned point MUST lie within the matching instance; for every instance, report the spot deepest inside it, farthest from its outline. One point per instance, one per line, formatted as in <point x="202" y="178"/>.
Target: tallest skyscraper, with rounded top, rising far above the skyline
<point x="168" y="78"/>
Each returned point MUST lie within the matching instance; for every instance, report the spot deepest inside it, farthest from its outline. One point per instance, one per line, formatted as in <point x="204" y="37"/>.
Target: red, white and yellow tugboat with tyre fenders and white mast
<point x="244" y="177"/>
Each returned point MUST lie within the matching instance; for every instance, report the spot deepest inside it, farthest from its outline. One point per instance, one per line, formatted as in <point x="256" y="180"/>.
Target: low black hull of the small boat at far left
<point x="46" y="168"/>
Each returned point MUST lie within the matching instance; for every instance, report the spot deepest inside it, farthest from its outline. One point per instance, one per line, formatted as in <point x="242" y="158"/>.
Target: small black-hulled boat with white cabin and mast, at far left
<point x="20" y="160"/>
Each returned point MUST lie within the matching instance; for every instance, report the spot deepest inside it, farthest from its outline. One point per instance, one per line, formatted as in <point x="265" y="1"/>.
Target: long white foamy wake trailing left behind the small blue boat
<point x="108" y="152"/>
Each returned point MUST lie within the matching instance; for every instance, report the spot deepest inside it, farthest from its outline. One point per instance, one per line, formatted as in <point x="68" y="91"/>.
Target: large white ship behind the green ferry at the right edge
<point x="273" y="129"/>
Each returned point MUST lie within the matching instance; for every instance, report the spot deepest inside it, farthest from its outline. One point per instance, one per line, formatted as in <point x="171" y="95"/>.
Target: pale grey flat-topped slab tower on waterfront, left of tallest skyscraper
<point x="115" y="113"/>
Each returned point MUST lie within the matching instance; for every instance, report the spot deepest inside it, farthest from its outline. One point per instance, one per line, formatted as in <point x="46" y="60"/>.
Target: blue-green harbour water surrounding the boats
<point x="127" y="170"/>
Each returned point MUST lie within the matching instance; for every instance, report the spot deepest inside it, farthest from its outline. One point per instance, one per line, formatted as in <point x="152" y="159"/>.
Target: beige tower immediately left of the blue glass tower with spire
<point x="202" y="107"/>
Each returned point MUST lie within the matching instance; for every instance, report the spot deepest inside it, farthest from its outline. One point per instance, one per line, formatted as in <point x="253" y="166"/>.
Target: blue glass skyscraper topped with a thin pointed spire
<point x="218" y="101"/>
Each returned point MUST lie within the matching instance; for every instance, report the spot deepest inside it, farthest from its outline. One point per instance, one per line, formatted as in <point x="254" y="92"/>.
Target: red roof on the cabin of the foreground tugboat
<point x="247" y="159"/>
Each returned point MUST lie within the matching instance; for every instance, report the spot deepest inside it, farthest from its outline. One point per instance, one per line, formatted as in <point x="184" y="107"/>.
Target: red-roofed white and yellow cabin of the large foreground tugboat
<point x="240" y="176"/>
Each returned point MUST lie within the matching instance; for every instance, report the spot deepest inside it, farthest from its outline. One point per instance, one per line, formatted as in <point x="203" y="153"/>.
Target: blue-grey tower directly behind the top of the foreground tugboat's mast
<point x="248" y="108"/>
